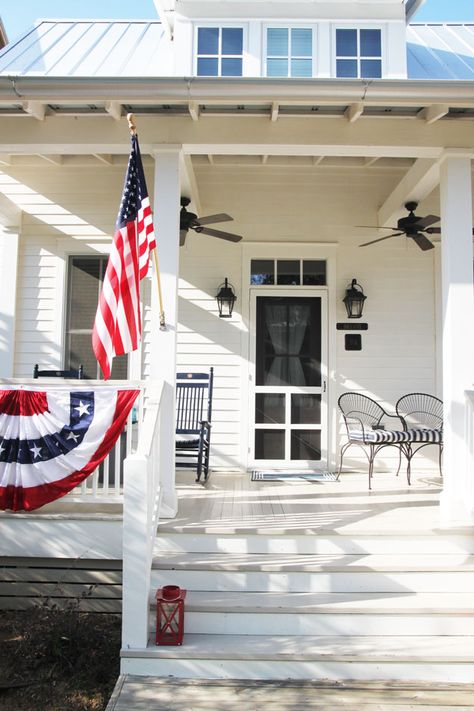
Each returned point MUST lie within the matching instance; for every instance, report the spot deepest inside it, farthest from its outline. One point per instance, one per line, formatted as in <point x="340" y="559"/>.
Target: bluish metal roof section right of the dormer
<point x="440" y="51"/>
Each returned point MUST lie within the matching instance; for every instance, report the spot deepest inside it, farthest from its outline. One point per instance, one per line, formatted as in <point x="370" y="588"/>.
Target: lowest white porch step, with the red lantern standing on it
<point x="425" y="658"/>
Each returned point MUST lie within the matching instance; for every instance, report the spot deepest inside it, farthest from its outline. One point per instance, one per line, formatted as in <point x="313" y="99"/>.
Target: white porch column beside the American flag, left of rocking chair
<point x="163" y="359"/>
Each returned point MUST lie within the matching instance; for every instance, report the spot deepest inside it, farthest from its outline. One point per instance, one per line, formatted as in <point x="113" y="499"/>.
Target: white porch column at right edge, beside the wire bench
<point x="457" y="500"/>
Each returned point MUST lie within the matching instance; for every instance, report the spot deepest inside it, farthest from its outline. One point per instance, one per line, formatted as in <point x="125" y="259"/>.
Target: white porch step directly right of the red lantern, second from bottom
<point x="345" y="614"/>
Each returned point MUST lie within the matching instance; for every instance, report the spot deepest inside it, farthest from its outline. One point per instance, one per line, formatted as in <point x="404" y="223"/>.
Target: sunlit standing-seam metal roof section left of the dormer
<point x="88" y="48"/>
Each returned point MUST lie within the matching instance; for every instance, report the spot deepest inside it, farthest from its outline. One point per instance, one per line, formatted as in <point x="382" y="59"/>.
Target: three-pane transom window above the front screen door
<point x="287" y="272"/>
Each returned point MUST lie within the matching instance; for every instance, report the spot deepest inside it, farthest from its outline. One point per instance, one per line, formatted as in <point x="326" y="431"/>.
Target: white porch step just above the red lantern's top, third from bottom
<point x="337" y="573"/>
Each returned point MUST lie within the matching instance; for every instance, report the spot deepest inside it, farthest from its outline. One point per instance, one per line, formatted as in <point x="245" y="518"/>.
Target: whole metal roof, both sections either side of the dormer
<point x="123" y="48"/>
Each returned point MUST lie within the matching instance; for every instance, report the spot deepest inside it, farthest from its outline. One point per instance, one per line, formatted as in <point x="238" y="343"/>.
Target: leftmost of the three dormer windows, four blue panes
<point x="220" y="51"/>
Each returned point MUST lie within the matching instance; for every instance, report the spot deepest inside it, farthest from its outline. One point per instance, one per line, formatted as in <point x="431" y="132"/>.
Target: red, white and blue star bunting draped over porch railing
<point x="52" y="439"/>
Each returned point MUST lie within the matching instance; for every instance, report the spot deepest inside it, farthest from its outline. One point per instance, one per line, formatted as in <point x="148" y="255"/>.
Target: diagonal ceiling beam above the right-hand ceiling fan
<point x="416" y="185"/>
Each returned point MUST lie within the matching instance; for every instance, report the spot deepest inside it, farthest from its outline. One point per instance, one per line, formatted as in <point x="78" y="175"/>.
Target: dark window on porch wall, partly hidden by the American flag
<point x="85" y="277"/>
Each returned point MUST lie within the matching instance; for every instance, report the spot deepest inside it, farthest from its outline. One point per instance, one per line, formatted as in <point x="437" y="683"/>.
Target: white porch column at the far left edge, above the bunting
<point x="9" y="249"/>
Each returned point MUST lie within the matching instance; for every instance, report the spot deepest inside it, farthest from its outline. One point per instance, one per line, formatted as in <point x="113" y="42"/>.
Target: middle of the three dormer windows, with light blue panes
<point x="289" y="52"/>
